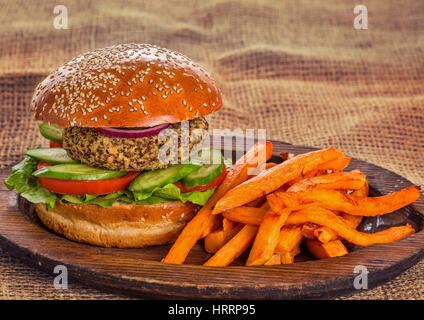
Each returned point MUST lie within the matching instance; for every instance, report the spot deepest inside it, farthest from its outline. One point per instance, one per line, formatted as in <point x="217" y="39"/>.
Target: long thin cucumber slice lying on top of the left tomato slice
<point x="77" y="172"/>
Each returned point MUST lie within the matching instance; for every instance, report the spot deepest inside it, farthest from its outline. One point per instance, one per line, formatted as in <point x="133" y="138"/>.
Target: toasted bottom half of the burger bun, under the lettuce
<point x="122" y="225"/>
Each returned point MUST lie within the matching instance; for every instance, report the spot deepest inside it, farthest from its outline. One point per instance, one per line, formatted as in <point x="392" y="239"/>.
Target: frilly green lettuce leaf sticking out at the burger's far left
<point x="22" y="180"/>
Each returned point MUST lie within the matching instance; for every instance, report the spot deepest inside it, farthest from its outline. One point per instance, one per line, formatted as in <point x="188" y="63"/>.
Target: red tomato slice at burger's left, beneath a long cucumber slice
<point x="81" y="187"/>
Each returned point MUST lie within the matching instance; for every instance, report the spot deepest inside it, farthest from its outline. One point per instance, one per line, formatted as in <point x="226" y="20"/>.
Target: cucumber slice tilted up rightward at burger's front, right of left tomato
<point x="149" y="180"/>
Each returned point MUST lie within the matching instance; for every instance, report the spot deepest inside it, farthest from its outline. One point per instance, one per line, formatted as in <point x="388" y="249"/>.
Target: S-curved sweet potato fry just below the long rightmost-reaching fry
<point x="324" y="217"/>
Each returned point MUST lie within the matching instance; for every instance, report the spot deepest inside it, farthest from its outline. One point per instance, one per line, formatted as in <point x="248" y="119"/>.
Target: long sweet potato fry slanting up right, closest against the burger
<point x="260" y="152"/>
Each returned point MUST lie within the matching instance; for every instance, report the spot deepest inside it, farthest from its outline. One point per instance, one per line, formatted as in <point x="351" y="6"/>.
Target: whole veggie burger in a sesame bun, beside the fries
<point x="102" y="181"/>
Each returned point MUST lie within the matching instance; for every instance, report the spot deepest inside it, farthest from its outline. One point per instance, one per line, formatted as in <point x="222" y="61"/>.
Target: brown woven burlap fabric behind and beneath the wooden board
<point x="297" y="68"/>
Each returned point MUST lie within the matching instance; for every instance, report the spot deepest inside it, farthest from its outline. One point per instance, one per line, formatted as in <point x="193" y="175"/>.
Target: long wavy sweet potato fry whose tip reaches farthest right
<point x="340" y="201"/>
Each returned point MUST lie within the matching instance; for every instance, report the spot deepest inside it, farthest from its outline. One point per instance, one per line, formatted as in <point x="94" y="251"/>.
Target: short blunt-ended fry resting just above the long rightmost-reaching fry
<point x="336" y="180"/>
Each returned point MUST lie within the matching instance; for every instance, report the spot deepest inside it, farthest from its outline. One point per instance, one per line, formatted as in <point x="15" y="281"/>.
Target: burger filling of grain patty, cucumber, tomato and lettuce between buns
<point x="85" y="166"/>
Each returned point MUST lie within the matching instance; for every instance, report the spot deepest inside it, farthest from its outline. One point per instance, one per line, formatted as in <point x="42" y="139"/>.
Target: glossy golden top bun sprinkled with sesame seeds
<point x="130" y="85"/>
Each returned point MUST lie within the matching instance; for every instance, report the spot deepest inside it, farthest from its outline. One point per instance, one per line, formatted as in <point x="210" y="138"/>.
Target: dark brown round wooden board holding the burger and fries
<point x="139" y="272"/>
